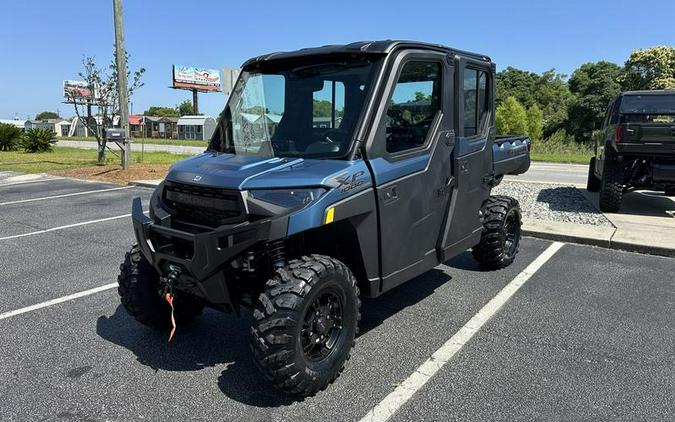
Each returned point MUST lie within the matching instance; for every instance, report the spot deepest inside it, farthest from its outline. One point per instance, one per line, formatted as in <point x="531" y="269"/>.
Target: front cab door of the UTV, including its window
<point x="413" y="169"/>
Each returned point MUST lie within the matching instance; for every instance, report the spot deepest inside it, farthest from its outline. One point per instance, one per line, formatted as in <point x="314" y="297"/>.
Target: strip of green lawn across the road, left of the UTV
<point x="65" y="158"/>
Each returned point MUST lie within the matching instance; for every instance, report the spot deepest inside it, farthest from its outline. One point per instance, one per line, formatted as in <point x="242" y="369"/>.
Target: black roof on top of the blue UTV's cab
<point x="362" y="47"/>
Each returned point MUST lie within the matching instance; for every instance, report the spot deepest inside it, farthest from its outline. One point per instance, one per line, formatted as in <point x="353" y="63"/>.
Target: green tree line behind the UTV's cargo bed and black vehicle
<point x="549" y="105"/>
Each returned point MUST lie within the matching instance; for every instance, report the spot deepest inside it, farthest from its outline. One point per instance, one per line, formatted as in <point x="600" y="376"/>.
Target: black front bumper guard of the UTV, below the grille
<point x="204" y="255"/>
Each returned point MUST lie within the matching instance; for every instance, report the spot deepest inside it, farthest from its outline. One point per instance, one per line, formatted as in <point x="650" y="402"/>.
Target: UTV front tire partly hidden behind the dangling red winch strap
<point x="139" y="292"/>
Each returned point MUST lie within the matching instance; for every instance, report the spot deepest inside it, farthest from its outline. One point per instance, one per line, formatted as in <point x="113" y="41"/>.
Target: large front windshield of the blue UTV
<point x="291" y="109"/>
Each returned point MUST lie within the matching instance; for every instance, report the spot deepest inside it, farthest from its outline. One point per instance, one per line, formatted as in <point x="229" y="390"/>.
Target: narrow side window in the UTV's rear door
<point x="476" y="100"/>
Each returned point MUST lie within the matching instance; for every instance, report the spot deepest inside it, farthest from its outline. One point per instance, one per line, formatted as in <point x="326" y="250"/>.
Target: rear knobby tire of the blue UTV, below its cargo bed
<point x="500" y="239"/>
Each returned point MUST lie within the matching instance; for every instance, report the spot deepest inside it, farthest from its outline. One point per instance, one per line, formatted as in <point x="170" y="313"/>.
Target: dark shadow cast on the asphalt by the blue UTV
<point x="215" y="339"/>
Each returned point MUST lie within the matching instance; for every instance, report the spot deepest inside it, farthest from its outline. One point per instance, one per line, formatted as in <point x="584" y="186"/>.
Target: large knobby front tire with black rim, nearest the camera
<point x="305" y="324"/>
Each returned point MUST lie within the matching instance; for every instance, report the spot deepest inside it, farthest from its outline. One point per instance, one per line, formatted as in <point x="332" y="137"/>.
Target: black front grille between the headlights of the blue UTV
<point x="203" y="206"/>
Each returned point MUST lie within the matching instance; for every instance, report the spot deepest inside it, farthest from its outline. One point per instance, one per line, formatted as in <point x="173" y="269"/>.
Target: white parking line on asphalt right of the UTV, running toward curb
<point x="401" y="394"/>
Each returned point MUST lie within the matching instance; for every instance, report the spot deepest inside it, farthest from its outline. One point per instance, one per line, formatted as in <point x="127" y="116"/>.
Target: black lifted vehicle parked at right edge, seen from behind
<point x="637" y="147"/>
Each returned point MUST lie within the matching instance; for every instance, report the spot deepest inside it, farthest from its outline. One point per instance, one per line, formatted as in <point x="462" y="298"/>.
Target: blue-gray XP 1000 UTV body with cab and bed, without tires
<point x="380" y="154"/>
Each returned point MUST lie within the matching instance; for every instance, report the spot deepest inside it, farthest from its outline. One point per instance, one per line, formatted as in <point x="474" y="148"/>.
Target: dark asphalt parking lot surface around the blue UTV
<point x="590" y="335"/>
